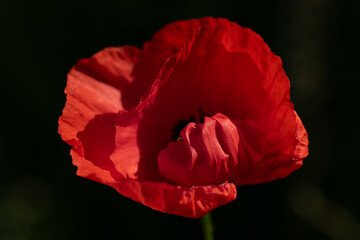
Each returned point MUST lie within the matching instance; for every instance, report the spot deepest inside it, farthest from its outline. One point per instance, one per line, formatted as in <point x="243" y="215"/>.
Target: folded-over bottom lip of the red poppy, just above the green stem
<point x="192" y="202"/>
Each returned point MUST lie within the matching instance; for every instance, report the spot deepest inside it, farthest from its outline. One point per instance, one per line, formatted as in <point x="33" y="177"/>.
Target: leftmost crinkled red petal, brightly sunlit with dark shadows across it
<point x="93" y="100"/>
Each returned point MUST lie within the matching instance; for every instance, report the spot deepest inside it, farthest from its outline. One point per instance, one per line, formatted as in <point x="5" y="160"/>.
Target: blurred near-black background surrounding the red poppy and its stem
<point x="42" y="198"/>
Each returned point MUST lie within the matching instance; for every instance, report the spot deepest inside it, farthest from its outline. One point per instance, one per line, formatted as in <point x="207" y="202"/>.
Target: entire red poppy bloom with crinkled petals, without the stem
<point x="203" y="107"/>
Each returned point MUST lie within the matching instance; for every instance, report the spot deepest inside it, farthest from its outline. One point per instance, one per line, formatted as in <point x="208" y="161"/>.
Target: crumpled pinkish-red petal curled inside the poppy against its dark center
<point x="207" y="153"/>
